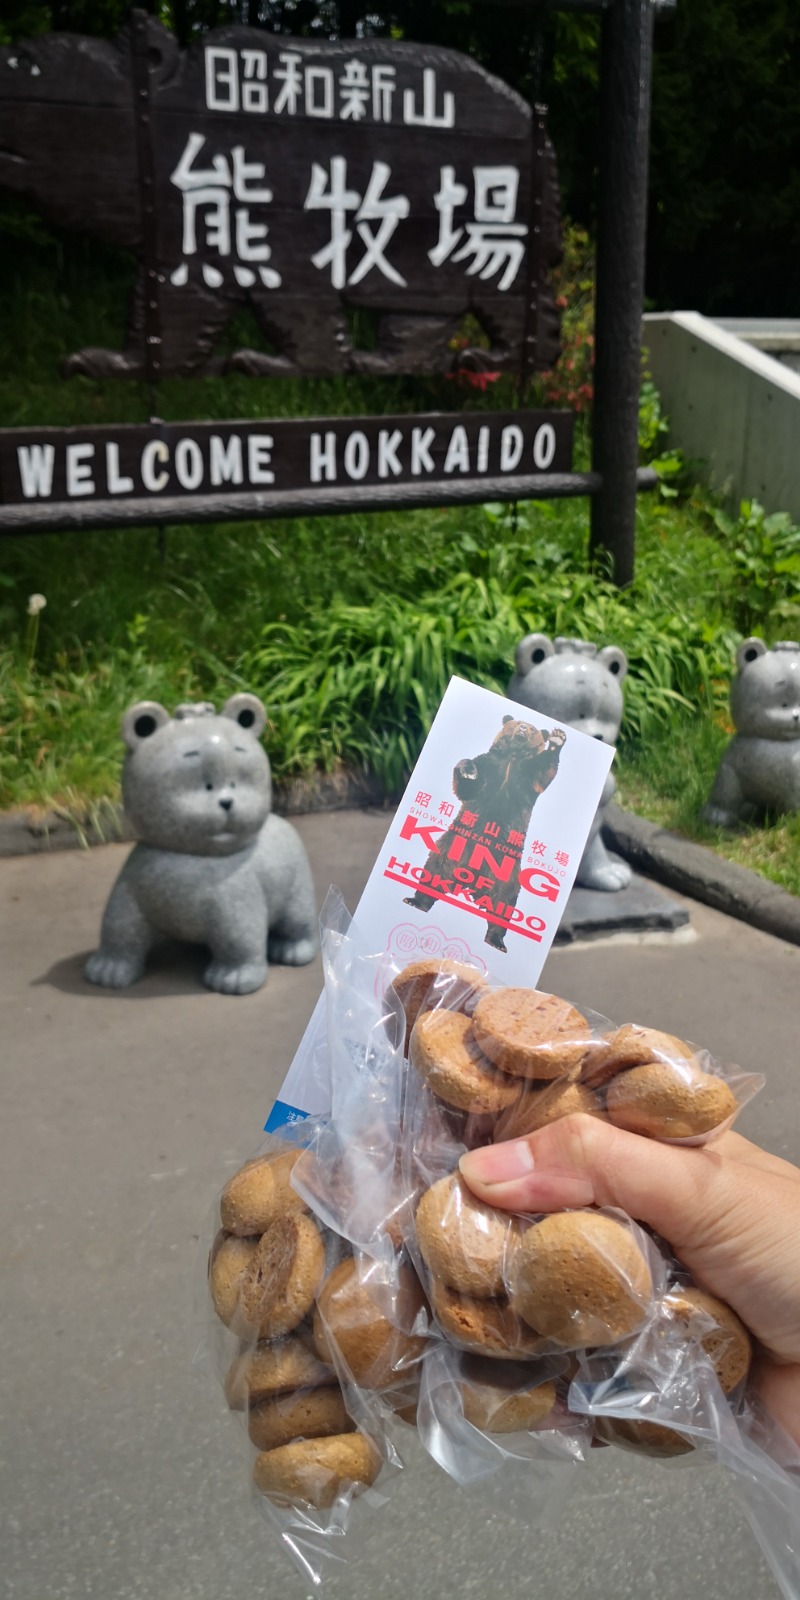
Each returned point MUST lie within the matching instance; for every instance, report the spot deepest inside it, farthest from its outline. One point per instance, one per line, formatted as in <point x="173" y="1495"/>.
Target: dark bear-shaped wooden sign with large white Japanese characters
<point x="359" y="198"/>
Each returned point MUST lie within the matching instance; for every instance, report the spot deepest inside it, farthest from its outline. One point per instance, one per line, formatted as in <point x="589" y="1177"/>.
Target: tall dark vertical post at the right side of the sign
<point x="626" y="63"/>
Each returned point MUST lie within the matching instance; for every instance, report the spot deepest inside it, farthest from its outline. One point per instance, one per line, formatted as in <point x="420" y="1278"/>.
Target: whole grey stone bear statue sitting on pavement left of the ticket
<point x="214" y="865"/>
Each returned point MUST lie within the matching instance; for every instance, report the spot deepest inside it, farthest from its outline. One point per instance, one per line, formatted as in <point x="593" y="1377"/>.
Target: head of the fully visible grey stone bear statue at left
<point x="198" y="783"/>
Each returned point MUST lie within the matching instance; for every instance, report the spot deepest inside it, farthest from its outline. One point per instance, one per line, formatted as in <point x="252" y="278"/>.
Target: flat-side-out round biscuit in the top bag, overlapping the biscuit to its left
<point x="530" y="1034"/>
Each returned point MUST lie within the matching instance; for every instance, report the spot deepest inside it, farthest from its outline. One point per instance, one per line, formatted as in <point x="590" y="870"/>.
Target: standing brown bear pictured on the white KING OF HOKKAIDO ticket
<point x="498" y="791"/>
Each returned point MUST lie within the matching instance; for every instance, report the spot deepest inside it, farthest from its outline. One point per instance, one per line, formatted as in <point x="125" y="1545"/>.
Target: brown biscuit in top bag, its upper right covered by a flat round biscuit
<point x="447" y="1057"/>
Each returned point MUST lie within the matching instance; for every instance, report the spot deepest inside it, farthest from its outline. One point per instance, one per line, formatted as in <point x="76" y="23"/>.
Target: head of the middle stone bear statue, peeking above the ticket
<point x="574" y="681"/>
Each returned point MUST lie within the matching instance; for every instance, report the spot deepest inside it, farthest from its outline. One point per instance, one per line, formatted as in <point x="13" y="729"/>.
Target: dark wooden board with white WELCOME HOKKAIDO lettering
<point x="214" y="471"/>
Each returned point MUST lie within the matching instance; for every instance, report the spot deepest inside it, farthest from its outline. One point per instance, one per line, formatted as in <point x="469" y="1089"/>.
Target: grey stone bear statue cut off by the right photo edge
<point x="761" y="769"/>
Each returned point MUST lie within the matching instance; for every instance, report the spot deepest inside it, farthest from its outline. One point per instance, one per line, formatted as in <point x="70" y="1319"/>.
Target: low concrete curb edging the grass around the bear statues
<point x="678" y="863"/>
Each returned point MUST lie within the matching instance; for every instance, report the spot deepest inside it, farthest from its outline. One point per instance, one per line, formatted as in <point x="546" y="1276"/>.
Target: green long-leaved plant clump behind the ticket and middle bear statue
<point x="359" y="686"/>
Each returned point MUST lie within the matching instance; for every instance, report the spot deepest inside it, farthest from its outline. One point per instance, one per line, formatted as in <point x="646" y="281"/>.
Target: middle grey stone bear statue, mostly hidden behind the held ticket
<point x="578" y="684"/>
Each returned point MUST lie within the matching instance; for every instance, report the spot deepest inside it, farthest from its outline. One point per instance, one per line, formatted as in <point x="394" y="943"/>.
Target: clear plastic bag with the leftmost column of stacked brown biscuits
<point x="316" y="1446"/>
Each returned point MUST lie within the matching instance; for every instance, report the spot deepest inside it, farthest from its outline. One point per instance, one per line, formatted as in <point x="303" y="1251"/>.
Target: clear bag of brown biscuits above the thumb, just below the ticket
<point x="521" y="1058"/>
